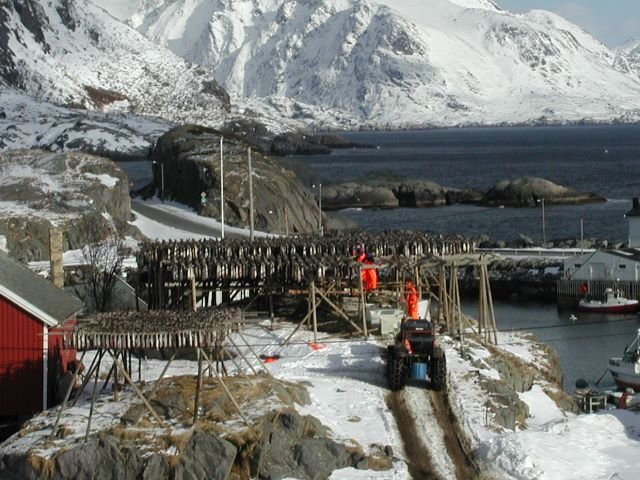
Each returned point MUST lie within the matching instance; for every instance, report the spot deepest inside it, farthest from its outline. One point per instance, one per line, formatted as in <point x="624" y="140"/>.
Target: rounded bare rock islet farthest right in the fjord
<point x="530" y="191"/>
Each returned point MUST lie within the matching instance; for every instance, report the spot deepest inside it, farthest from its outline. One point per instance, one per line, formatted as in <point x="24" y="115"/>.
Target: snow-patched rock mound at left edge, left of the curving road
<point x="84" y="195"/>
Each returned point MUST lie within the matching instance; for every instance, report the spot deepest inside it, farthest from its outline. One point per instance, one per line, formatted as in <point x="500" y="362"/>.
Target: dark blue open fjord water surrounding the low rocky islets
<point x="603" y="159"/>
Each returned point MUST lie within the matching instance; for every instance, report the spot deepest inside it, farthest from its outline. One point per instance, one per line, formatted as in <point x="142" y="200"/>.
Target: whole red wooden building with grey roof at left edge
<point x="33" y="313"/>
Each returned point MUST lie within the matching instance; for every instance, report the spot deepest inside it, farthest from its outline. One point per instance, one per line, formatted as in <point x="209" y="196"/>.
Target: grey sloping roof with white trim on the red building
<point x="35" y="294"/>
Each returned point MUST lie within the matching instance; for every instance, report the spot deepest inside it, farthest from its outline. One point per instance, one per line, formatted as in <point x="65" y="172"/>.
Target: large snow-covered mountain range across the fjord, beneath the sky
<point x="394" y="62"/>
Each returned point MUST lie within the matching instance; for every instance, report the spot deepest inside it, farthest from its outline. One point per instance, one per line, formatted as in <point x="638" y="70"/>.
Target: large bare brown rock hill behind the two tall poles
<point x="187" y="164"/>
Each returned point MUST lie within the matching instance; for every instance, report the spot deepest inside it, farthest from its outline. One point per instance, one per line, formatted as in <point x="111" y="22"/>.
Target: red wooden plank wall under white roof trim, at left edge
<point x="21" y="343"/>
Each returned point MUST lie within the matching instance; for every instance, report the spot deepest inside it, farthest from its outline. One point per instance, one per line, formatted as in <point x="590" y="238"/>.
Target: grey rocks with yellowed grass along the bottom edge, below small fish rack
<point x="284" y="444"/>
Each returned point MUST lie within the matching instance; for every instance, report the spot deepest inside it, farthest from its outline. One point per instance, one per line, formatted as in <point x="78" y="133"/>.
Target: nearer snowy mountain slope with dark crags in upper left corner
<point x="71" y="52"/>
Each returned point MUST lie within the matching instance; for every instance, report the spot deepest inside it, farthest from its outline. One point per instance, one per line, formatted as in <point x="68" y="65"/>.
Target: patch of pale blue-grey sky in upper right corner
<point x="611" y="21"/>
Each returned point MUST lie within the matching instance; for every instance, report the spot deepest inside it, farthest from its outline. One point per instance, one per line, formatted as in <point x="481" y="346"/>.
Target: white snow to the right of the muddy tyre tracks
<point x="555" y="444"/>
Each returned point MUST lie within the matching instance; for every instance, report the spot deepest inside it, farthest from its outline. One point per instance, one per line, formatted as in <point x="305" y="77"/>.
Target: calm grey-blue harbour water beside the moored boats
<point x="584" y="345"/>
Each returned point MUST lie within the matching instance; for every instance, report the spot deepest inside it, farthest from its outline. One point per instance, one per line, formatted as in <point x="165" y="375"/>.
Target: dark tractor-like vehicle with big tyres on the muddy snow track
<point x="416" y="355"/>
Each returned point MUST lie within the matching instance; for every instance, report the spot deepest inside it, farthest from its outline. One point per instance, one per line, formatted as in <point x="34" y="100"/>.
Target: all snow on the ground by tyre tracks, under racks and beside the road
<point x="347" y="387"/>
